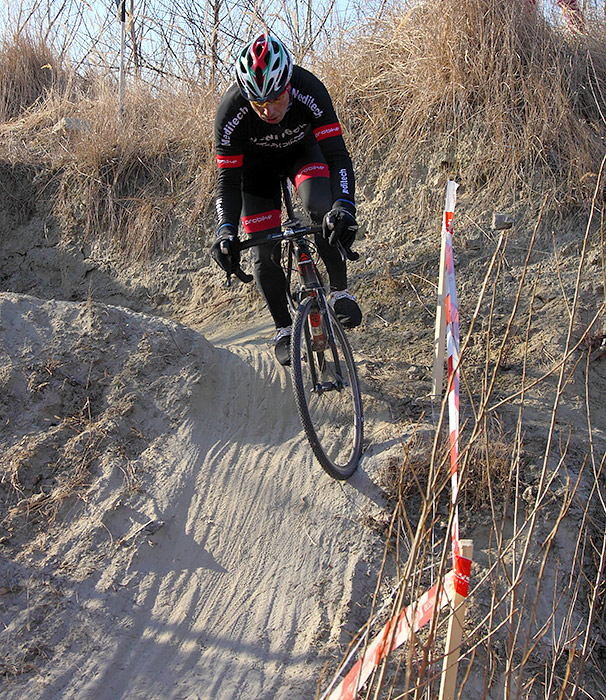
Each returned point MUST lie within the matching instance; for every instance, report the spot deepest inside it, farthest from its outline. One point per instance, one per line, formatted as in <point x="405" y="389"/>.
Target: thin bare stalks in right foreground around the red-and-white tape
<point x="533" y="497"/>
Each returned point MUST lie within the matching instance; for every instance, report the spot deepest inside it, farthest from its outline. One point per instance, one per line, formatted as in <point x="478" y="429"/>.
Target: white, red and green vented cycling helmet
<point x="263" y="69"/>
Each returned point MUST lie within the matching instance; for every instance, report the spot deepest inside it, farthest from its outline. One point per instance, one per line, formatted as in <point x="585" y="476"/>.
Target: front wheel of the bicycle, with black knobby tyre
<point x="327" y="392"/>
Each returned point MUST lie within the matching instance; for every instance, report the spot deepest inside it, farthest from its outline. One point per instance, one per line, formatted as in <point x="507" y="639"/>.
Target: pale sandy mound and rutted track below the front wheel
<point x="208" y="556"/>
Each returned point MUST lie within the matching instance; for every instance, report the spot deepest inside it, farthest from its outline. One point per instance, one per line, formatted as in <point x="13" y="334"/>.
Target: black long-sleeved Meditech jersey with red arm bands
<point x="310" y="118"/>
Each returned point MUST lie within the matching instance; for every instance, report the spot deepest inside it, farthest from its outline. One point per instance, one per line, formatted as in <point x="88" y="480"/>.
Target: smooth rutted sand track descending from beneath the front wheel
<point x="259" y="559"/>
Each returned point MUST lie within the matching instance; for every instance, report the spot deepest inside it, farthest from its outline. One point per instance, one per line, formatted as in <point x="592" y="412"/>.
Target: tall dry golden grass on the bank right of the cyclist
<point x="489" y="92"/>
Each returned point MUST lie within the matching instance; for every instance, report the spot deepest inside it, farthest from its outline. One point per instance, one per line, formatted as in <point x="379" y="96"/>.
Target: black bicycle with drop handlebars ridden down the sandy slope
<point x="325" y="380"/>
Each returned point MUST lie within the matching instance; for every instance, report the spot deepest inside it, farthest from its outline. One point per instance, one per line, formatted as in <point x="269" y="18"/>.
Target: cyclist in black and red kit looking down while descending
<point x="278" y="119"/>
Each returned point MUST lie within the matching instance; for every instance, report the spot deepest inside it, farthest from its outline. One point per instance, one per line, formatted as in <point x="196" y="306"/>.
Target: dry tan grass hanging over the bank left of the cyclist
<point x="139" y="180"/>
